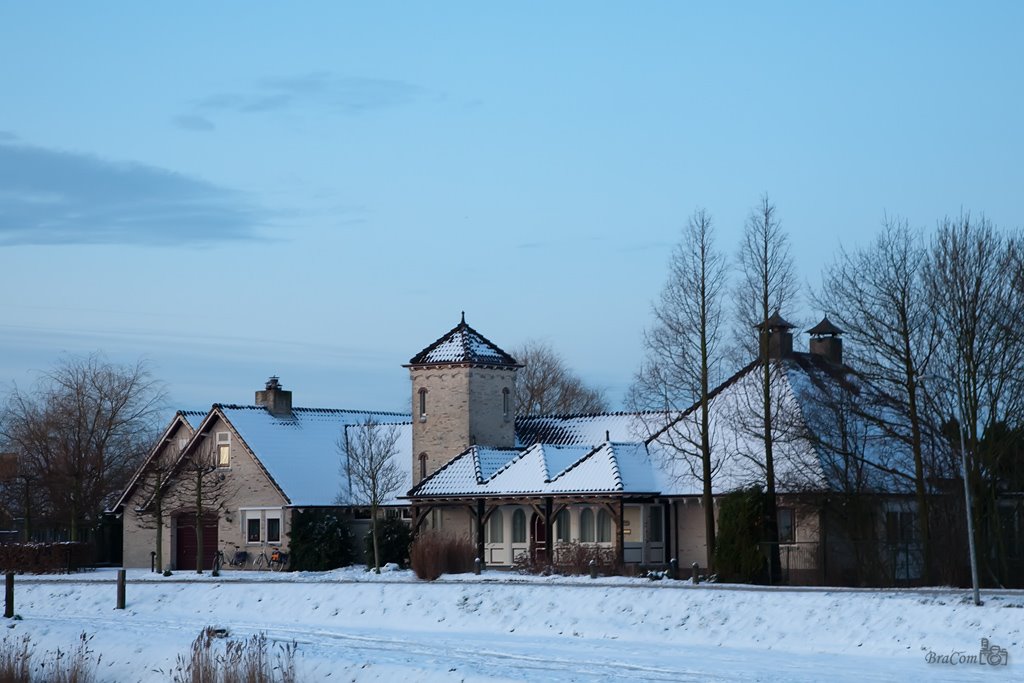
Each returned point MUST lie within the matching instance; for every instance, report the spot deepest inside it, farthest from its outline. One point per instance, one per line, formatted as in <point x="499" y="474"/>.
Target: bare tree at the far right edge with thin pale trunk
<point x="972" y="287"/>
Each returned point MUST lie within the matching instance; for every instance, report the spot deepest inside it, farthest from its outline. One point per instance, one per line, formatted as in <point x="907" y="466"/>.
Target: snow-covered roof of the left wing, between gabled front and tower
<point x="301" y="451"/>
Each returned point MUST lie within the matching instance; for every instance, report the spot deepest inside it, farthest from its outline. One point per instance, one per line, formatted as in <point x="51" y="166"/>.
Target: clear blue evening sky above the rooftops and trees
<point x="318" y="191"/>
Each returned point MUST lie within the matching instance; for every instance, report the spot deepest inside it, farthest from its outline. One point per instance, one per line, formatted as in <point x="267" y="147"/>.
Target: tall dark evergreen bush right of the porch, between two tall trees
<point x="741" y="524"/>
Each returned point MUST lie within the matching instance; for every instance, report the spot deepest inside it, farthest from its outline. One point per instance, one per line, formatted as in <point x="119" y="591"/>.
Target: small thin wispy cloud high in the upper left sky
<point x="350" y="95"/>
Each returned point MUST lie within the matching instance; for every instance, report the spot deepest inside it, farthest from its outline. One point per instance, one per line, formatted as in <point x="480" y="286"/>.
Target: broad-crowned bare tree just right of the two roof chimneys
<point x="879" y="296"/>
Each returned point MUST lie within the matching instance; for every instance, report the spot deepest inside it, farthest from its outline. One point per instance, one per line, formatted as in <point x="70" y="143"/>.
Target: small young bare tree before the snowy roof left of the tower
<point x="370" y="468"/>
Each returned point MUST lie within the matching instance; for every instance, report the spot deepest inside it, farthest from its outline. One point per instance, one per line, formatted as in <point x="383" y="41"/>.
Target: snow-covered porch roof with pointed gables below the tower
<point x="544" y="469"/>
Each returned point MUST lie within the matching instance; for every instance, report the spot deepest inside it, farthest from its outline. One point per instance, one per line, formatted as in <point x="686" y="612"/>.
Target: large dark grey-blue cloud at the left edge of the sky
<point x="51" y="197"/>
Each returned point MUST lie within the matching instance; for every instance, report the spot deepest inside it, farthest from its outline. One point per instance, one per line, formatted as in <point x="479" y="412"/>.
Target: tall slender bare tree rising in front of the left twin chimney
<point x="767" y="284"/>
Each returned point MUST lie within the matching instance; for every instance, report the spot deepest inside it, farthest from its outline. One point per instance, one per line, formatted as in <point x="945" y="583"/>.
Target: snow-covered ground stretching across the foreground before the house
<point x="351" y="626"/>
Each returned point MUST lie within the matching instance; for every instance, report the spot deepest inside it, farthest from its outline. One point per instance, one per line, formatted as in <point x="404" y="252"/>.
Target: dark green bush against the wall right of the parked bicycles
<point x="320" y="540"/>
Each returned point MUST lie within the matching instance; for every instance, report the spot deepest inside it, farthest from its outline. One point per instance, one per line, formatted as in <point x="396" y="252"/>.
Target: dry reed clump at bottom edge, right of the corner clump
<point x="241" y="662"/>
